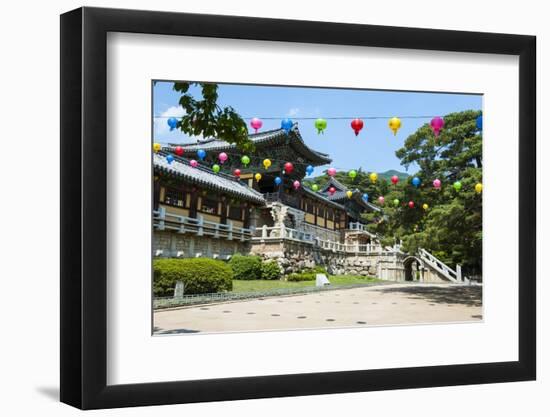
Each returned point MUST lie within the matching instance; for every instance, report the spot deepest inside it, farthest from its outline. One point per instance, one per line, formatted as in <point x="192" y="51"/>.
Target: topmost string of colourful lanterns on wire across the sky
<point x="437" y="123"/>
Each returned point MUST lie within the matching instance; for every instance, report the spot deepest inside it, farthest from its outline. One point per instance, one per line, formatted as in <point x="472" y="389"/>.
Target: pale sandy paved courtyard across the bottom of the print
<point x="376" y="305"/>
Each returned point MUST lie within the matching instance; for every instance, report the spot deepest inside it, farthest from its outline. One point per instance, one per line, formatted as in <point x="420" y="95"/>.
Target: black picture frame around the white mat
<point x="84" y="207"/>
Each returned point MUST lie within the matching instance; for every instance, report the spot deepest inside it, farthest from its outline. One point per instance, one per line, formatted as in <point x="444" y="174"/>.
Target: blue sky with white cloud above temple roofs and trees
<point x="374" y="148"/>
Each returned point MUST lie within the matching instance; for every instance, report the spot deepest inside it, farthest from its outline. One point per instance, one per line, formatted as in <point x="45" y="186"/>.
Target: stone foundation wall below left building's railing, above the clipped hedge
<point x="170" y="244"/>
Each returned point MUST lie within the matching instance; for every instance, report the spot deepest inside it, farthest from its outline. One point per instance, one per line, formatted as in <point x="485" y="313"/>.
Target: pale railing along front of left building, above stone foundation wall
<point x="163" y="220"/>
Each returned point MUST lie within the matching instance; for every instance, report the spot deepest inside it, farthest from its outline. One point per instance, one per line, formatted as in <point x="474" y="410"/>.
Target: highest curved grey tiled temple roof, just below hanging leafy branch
<point x="268" y="138"/>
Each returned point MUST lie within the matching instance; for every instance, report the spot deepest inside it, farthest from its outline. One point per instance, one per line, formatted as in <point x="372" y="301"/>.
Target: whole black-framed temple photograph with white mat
<point x="258" y="208"/>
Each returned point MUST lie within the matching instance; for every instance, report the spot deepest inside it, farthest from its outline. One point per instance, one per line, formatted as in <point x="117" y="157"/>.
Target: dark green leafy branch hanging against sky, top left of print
<point x="205" y="117"/>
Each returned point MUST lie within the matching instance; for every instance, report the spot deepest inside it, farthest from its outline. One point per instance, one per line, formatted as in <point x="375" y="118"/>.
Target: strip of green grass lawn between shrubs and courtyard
<point x="262" y="284"/>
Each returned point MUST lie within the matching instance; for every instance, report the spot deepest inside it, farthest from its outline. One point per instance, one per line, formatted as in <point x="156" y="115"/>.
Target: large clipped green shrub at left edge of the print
<point x="199" y="275"/>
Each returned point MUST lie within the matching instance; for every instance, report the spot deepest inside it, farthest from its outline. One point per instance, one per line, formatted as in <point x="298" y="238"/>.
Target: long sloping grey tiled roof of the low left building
<point x="205" y="177"/>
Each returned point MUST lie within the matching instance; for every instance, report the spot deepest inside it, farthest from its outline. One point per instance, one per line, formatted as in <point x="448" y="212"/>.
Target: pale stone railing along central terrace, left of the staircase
<point x="266" y="233"/>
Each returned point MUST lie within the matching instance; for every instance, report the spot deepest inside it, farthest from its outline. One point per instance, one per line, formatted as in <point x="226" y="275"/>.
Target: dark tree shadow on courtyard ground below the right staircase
<point x="469" y="296"/>
